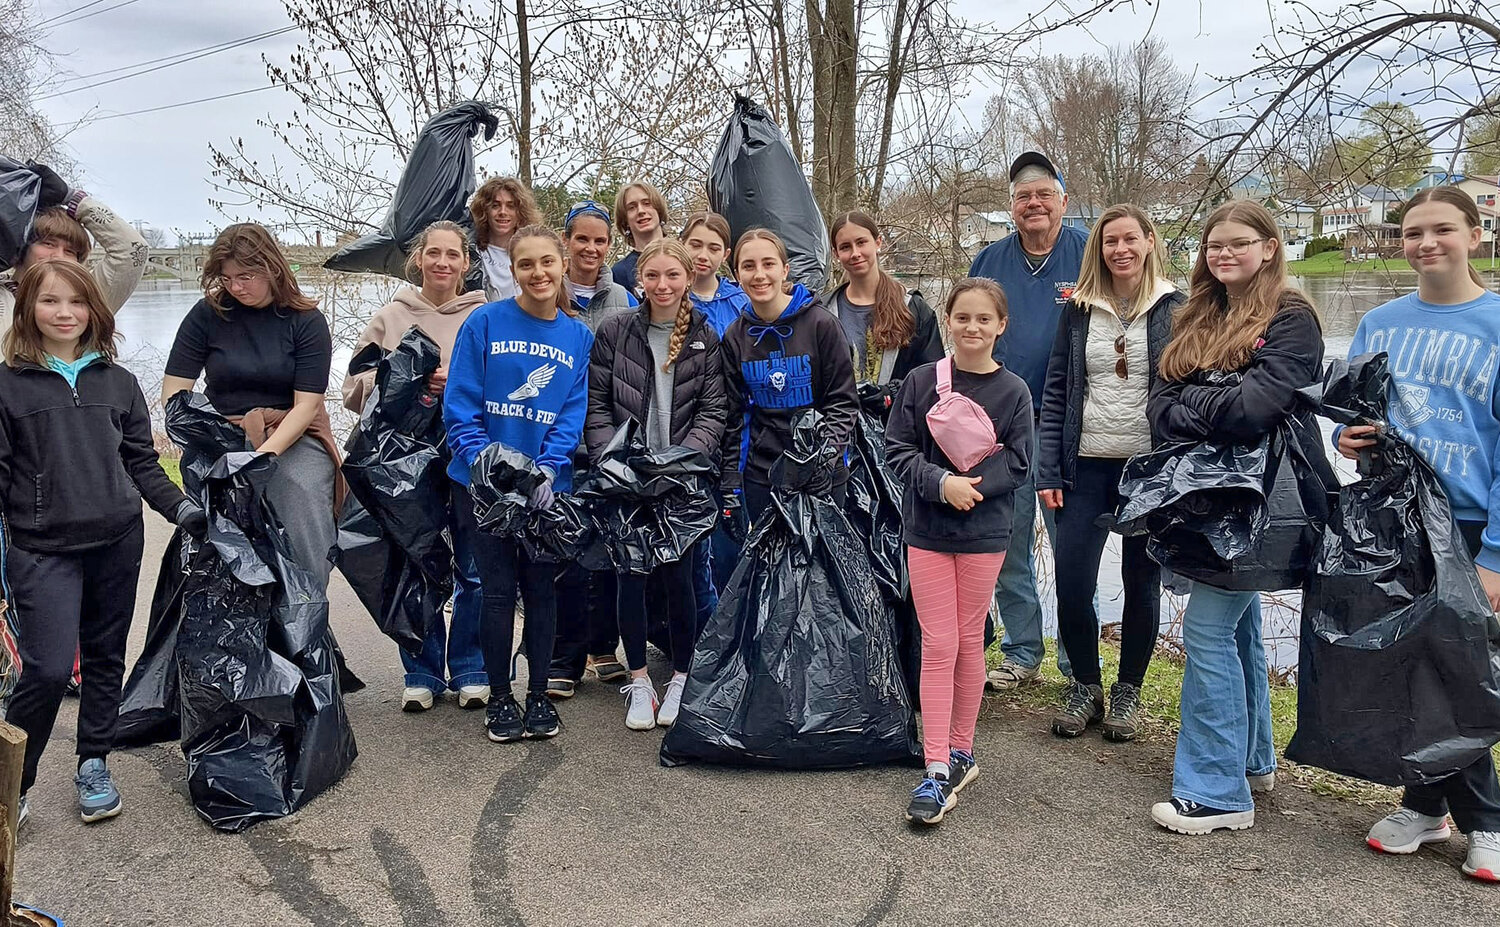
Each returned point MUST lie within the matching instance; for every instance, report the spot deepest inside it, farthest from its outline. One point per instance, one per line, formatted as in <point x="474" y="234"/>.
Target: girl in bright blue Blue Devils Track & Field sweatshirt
<point x="518" y="377"/>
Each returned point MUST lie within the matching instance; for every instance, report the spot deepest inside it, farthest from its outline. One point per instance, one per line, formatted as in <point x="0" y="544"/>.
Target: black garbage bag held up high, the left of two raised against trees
<point x="437" y="184"/>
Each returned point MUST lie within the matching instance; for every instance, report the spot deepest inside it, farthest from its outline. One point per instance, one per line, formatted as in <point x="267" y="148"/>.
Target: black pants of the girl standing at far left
<point x="64" y="605"/>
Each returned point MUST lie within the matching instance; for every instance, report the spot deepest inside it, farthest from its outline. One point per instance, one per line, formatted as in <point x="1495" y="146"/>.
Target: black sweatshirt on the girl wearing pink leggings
<point x="928" y="521"/>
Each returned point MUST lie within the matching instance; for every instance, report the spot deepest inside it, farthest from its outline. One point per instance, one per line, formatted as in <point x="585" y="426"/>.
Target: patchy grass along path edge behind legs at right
<point x="1162" y="713"/>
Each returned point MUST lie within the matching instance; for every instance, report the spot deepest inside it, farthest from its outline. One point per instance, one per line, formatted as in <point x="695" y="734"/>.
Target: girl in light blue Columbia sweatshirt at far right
<point x="1445" y="358"/>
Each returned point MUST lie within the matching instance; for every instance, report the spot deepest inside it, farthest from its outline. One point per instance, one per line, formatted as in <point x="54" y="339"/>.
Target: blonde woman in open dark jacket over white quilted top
<point x="1093" y="419"/>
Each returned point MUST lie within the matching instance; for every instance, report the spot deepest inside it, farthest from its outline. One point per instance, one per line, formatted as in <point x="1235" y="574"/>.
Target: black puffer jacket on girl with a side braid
<point x="620" y="383"/>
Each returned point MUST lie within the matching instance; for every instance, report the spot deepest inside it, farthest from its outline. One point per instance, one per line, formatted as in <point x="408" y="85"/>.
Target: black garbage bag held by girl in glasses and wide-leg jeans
<point x="1237" y="517"/>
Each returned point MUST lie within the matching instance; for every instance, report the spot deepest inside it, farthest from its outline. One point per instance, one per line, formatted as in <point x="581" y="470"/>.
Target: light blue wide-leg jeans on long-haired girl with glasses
<point x="1226" y="701"/>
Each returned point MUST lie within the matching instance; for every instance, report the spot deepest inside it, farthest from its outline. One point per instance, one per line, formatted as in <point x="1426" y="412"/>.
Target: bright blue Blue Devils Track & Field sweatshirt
<point x="521" y="382"/>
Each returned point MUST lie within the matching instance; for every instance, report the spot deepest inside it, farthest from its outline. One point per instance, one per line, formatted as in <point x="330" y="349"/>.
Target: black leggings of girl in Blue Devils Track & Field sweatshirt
<point x="502" y="566"/>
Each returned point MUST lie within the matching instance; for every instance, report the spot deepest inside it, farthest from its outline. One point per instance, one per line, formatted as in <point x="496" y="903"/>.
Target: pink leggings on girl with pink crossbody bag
<point x="953" y="595"/>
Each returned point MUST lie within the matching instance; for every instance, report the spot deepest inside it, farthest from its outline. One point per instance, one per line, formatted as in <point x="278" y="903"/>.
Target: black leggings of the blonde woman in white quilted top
<point x="1078" y="550"/>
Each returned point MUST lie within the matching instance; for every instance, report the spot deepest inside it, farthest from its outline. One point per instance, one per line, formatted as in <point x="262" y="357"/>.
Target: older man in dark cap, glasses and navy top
<point x="1039" y="268"/>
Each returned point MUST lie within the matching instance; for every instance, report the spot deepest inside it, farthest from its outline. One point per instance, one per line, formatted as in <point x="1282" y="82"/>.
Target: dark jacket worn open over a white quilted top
<point x="1060" y="427"/>
